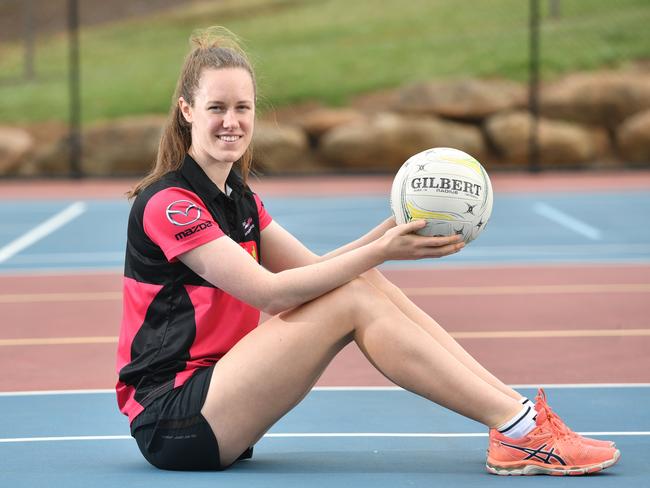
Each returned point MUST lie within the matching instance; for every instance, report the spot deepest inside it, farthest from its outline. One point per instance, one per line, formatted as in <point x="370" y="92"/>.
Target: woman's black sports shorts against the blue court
<point x="171" y="432"/>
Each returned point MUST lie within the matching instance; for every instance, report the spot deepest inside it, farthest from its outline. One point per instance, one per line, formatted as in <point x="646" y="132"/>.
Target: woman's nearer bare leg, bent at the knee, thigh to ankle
<point x="269" y="371"/>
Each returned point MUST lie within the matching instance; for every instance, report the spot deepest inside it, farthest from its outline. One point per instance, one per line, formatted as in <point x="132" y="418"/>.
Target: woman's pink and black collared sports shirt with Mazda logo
<point x="174" y="321"/>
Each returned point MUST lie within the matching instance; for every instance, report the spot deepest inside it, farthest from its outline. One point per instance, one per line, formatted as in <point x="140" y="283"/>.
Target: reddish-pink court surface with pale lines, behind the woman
<point x="527" y="324"/>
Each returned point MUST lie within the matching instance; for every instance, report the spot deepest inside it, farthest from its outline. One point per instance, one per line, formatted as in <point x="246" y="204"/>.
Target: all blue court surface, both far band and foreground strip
<point x="336" y="437"/>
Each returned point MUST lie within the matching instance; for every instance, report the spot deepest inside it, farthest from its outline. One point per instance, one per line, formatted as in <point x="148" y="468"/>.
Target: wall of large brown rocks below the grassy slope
<point x="596" y="119"/>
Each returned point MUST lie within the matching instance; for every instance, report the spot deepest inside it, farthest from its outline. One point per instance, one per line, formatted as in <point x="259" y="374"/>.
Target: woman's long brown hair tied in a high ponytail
<point x="214" y="47"/>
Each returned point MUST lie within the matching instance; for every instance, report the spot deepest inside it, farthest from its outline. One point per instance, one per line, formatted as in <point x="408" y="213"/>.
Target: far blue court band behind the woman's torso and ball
<point x="533" y="228"/>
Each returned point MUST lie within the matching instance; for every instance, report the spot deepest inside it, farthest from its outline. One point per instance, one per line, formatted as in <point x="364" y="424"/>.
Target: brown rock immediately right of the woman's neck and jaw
<point x="281" y="148"/>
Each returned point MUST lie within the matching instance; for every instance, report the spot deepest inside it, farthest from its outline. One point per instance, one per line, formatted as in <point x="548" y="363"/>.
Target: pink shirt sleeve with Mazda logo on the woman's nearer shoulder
<point x="177" y="221"/>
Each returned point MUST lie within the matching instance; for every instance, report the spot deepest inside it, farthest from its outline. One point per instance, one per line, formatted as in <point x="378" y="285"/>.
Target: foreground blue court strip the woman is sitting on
<point x="335" y="437"/>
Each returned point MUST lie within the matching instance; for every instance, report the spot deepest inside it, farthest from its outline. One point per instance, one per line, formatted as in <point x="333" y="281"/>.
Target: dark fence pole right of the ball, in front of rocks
<point x="533" y="89"/>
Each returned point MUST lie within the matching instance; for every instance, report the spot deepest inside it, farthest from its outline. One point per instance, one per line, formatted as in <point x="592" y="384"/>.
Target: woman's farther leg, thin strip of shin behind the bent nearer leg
<point x="417" y="315"/>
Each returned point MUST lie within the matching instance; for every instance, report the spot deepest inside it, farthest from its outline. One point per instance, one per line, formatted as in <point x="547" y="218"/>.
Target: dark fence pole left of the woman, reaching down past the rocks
<point x="74" y="84"/>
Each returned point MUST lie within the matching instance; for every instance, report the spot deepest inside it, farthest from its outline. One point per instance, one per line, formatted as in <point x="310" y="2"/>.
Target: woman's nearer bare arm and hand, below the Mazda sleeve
<point x="226" y="265"/>
